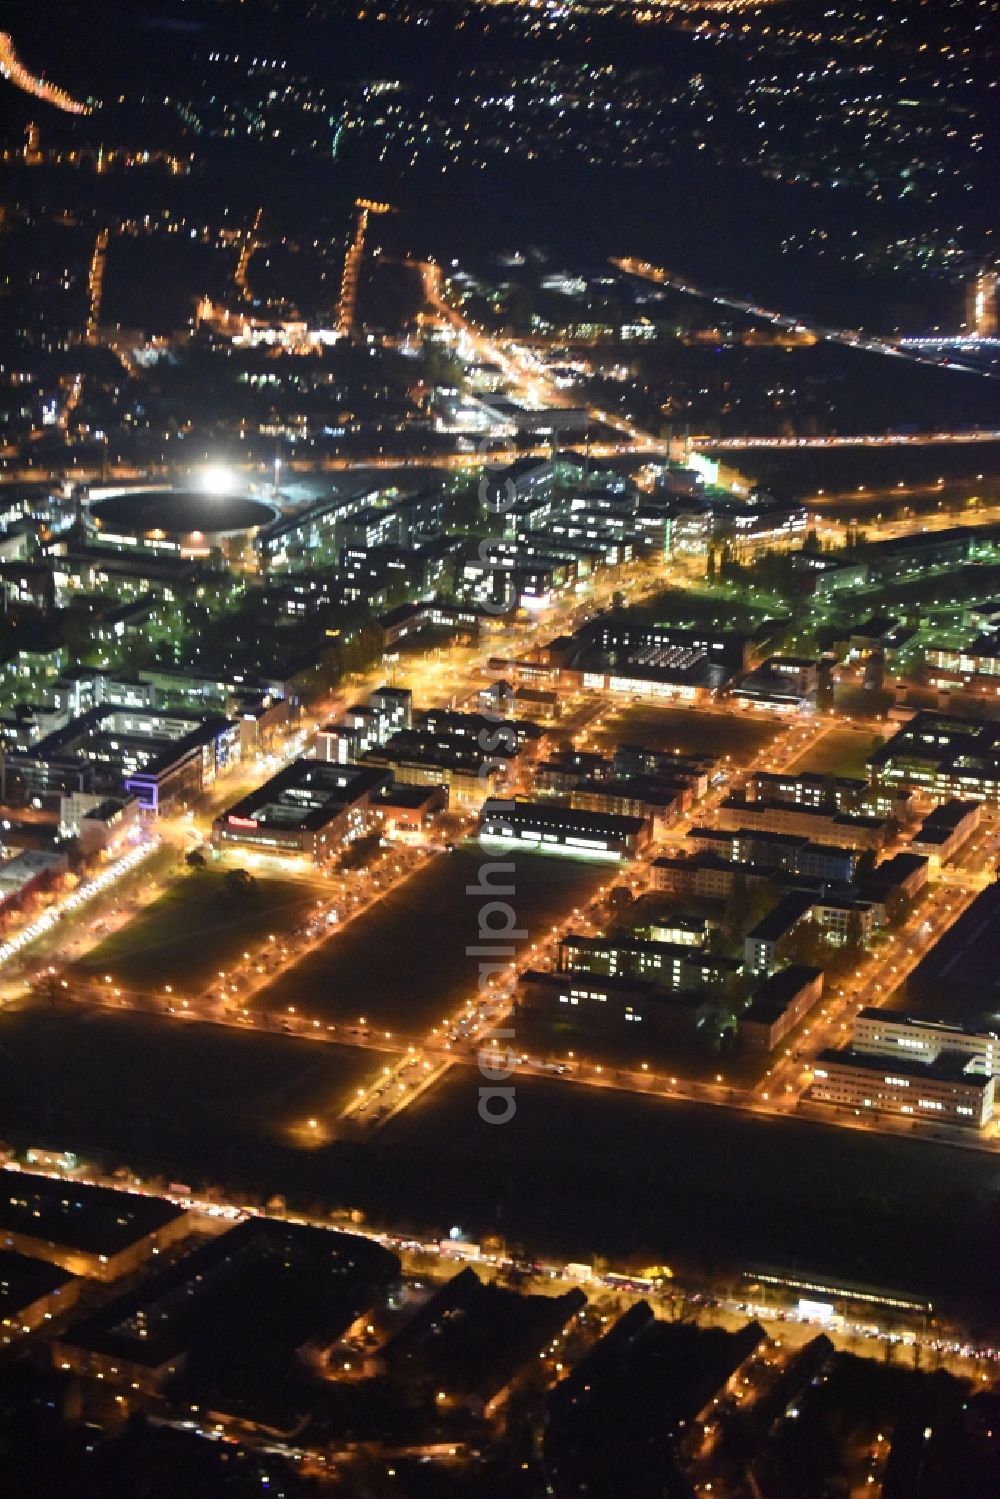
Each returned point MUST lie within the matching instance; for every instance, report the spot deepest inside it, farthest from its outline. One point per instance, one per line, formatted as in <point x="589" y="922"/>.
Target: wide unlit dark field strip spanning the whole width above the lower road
<point x="581" y="1171"/>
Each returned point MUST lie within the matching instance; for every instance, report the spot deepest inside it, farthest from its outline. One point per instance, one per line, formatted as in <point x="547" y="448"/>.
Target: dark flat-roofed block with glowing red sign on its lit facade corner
<point x="310" y="810"/>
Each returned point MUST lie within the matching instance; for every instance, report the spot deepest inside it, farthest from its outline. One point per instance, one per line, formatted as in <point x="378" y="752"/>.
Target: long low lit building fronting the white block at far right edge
<point x="941" y="1092"/>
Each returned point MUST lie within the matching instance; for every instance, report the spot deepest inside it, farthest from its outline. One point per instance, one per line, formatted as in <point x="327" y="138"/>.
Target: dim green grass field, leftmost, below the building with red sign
<point x="197" y="929"/>
